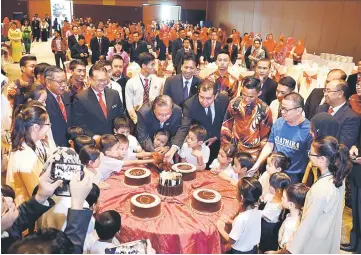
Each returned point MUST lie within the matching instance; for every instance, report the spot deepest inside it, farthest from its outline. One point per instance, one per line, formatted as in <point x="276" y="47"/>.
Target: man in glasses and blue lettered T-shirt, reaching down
<point x="290" y="135"/>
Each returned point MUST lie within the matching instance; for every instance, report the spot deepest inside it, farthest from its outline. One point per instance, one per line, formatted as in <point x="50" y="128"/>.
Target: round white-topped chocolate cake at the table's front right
<point x="206" y="200"/>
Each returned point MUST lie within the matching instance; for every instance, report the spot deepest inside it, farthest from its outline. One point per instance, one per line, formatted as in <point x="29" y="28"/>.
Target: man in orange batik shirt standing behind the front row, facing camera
<point x="226" y="83"/>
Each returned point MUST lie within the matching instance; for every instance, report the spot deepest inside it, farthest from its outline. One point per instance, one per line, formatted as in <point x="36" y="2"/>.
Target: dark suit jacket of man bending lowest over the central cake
<point x="148" y="125"/>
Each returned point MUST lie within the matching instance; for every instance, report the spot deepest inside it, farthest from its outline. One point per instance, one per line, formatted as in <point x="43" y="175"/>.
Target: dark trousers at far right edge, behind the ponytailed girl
<point x="355" y="235"/>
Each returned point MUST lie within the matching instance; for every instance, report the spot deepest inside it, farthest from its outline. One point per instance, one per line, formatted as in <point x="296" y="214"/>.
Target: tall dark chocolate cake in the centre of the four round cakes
<point x="170" y="184"/>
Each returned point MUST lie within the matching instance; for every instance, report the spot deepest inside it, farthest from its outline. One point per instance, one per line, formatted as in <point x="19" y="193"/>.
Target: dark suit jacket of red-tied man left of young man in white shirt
<point x="89" y="115"/>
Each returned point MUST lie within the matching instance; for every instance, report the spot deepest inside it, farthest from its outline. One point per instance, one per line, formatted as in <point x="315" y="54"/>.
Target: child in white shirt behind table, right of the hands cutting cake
<point x="194" y="151"/>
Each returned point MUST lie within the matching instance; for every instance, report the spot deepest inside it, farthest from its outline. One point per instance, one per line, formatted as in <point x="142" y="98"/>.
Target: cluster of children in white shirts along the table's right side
<point x="270" y="207"/>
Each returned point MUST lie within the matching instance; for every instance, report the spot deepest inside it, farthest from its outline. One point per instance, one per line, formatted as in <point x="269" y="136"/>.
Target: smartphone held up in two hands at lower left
<point x="64" y="171"/>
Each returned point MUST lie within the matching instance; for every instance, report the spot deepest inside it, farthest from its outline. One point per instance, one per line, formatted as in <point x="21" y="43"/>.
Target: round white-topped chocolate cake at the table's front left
<point x="145" y="205"/>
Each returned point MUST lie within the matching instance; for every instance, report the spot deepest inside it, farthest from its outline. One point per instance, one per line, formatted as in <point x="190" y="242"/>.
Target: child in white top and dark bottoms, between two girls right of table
<point x="272" y="212"/>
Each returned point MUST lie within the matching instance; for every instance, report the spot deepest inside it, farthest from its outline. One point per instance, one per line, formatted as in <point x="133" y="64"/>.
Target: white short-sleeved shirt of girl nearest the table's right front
<point x="246" y="230"/>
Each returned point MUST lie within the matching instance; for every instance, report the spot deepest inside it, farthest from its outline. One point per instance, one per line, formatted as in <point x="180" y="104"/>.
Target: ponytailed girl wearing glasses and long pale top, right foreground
<point x="320" y="227"/>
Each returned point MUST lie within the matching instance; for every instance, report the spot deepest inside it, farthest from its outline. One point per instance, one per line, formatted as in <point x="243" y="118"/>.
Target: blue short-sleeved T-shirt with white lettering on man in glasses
<point x="294" y="142"/>
